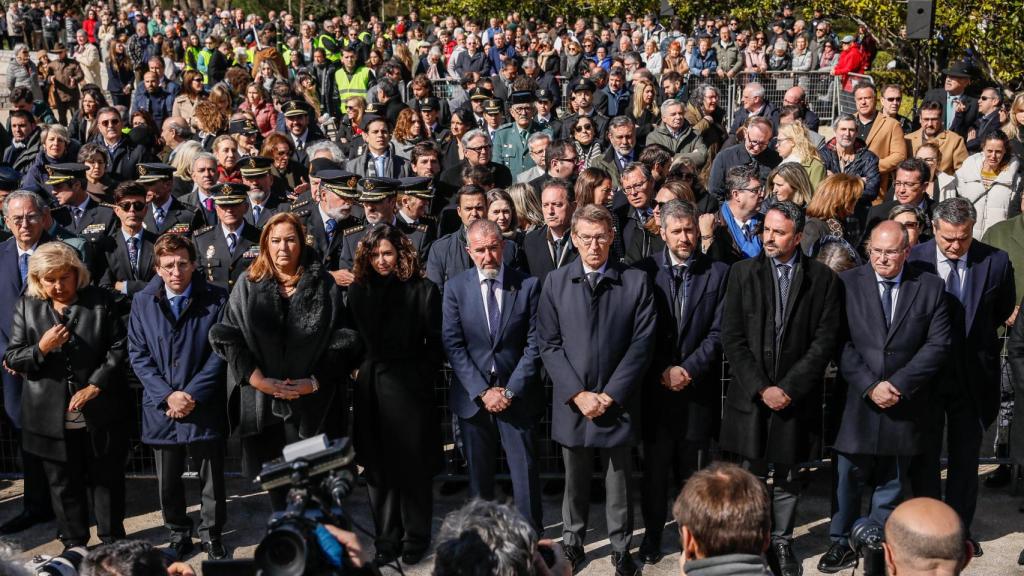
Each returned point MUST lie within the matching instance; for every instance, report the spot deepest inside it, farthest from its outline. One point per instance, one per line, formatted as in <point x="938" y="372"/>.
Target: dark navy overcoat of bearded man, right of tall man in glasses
<point x="695" y="344"/>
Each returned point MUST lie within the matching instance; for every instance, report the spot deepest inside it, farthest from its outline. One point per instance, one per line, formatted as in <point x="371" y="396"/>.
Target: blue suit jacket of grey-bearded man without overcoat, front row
<point x="515" y="355"/>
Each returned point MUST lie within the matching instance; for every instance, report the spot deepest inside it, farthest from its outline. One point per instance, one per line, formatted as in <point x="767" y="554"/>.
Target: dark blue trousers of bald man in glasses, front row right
<point x="885" y="476"/>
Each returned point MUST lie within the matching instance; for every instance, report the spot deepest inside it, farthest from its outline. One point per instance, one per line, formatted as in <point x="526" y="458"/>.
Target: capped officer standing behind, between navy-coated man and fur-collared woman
<point x="227" y="250"/>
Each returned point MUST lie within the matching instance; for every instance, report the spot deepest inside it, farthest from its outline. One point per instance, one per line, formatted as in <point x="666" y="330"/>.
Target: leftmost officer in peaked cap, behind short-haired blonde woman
<point x="78" y="213"/>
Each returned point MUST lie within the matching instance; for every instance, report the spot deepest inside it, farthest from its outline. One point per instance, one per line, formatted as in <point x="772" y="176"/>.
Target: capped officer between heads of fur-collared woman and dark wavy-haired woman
<point x="328" y="220"/>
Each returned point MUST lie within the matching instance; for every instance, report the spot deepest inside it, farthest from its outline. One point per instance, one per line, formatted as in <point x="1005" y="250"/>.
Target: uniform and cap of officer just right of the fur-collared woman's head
<point x="328" y="246"/>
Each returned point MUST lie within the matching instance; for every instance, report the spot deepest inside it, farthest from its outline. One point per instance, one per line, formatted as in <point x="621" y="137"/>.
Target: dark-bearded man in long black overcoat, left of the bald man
<point x="780" y="332"/>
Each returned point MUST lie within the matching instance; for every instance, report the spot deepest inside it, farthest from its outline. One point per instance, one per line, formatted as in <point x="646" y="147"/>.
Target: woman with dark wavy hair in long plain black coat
<point x="399" y="314"/>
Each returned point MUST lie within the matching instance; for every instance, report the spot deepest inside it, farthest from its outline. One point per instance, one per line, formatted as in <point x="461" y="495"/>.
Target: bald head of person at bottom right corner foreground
<point x="926" y="537"/>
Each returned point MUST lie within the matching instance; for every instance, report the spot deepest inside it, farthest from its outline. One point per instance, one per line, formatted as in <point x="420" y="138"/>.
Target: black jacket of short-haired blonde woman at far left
<point x="96" y="355"/>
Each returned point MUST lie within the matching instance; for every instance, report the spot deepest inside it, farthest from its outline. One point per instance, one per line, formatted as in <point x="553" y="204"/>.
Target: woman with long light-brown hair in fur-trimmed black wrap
<point x="287" y="349"/>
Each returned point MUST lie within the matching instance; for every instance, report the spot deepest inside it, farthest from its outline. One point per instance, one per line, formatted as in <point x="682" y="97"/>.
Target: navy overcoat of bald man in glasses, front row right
<point x="909" y="355"/>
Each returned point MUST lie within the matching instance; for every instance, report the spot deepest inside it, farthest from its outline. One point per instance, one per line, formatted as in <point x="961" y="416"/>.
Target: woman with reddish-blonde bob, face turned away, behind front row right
<point x="829" y="210"/>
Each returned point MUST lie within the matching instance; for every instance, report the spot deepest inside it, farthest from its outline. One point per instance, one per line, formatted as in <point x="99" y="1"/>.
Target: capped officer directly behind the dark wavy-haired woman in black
<point x="378" y="199"/>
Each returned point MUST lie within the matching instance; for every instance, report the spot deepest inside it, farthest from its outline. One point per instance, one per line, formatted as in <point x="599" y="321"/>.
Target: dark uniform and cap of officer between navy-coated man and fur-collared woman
<point x="222" y="266"/>
